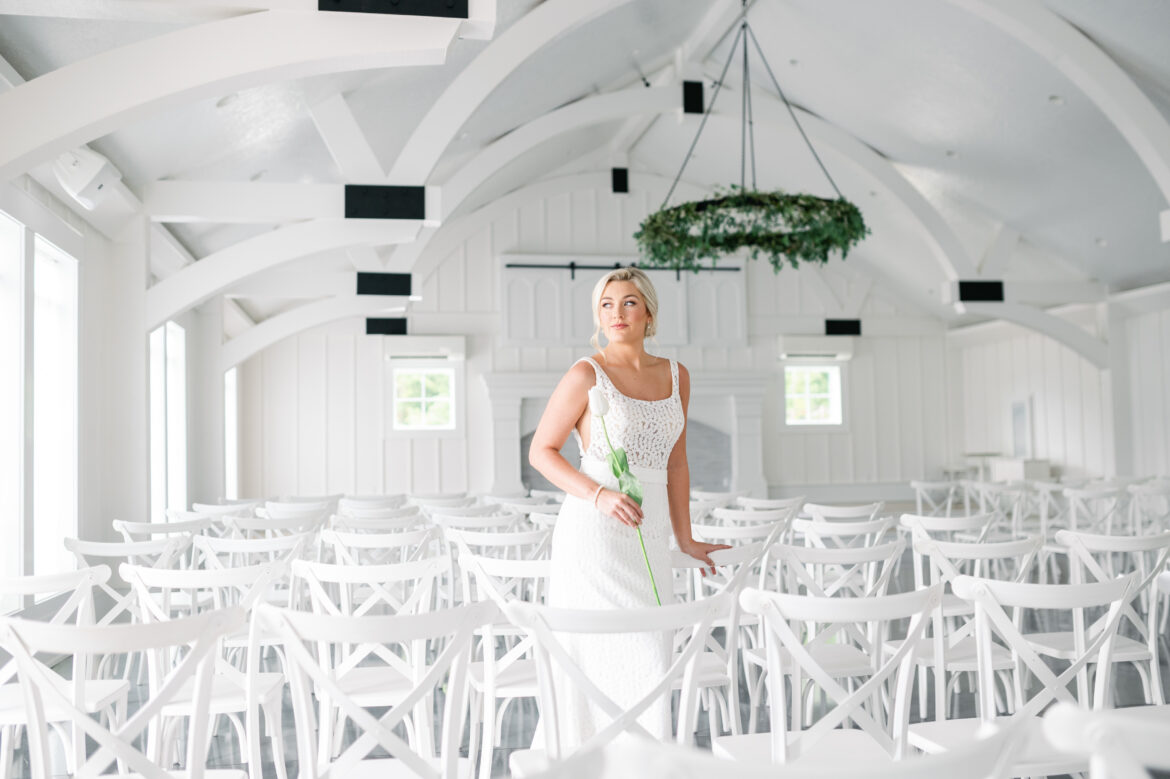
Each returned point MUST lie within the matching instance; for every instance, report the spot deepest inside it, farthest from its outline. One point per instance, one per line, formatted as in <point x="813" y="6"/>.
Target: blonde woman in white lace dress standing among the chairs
<point x="597" y="559"/>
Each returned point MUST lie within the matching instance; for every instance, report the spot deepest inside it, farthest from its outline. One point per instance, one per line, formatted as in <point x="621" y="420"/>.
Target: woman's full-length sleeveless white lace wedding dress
<point x="597" y="563"/>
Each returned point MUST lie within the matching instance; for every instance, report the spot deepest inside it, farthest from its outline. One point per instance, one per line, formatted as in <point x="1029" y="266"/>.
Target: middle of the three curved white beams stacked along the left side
<point x="218" y="272"/>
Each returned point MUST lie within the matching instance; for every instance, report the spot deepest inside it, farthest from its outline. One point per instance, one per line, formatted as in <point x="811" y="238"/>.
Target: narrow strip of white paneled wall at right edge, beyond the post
<point x="1148" y="343"/>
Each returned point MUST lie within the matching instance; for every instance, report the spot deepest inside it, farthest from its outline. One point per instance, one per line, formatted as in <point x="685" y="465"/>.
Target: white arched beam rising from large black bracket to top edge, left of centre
<point x="465" y="94"/>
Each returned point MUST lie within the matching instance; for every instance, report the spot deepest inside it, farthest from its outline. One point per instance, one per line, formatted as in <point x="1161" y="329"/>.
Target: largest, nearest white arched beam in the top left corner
<point x="67" y="108"/>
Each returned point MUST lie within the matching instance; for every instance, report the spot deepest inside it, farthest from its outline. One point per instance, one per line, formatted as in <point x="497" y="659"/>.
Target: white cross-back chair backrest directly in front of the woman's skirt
<point x="554" y="629"/>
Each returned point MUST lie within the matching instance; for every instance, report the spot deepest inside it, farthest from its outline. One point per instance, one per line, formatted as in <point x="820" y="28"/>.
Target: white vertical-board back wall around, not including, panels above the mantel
<point x="312" y="408"/>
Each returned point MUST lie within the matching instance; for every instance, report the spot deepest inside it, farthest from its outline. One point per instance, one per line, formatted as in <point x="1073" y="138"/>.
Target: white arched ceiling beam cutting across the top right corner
<point x="1095" y="73"/>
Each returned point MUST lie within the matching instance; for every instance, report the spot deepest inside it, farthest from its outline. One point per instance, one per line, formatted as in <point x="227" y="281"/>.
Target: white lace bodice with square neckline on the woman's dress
<point x="648" y="429"/>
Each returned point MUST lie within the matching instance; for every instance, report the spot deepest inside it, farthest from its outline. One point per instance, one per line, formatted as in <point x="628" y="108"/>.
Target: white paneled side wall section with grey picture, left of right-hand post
<point x="1070" y="397"/>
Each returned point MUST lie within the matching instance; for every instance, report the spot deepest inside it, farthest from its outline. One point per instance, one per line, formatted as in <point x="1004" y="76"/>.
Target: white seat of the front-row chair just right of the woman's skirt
<point x="839" y="753"/>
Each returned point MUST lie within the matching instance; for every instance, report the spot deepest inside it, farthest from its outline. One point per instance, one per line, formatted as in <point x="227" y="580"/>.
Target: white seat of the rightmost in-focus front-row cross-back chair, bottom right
<point x="1036" y="757"/>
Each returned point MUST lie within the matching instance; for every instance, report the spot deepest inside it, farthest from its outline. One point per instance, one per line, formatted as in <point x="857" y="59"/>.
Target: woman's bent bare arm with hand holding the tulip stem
<point x="567" y="406"/>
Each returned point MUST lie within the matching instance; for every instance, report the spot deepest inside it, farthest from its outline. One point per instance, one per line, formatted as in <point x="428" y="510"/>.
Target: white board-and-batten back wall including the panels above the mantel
<point x="314" y="409"/>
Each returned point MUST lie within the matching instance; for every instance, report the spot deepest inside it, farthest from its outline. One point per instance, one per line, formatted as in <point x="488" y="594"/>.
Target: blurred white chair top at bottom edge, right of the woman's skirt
<point x="983" y="759"/>
